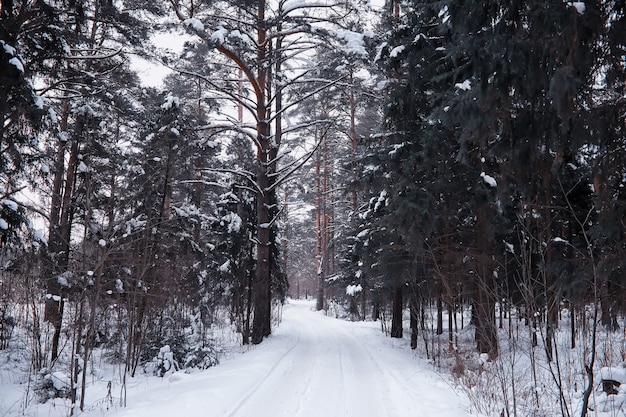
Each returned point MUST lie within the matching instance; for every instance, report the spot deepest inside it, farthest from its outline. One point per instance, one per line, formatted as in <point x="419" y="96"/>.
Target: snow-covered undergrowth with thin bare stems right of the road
<point x="521" y="381"/>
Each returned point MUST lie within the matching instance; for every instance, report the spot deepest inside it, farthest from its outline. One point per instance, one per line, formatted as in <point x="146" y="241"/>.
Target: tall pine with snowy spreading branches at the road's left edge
<point x="259" y="42"/>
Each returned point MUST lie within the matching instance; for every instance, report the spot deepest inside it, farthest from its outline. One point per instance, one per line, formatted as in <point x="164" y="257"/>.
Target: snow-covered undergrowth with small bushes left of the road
<point x="26" y="390"/>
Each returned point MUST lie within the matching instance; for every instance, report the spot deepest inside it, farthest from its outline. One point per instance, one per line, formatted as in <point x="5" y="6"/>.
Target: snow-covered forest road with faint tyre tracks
<point x="313" y="366"/>
